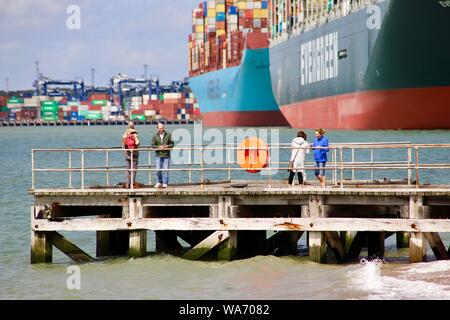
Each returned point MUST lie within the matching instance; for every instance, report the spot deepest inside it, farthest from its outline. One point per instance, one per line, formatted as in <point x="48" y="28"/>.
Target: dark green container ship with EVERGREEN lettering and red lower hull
<point x="362" y="65"/>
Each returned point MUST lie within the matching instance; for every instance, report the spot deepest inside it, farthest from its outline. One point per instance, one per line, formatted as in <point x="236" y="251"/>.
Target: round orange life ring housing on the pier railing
<point x="253" y="155"/>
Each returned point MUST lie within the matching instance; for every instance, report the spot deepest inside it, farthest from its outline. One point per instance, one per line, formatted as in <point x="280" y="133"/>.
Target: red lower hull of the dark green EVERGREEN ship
<point x="418" y="108"/>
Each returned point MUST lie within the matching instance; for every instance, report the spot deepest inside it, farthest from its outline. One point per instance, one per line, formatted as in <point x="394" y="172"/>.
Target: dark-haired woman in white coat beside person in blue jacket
<point x="299" y="147"/>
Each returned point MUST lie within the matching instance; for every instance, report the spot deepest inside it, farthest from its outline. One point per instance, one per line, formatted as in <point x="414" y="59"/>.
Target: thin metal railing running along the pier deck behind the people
<point x="197" y="163"/>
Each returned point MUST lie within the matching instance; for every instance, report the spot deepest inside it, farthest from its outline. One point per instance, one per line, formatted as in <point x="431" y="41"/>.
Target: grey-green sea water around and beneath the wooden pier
<point x="164" y="276"/>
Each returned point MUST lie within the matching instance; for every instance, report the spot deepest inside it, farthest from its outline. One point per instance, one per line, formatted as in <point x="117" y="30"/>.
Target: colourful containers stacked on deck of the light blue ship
<point x="219" y="28"/>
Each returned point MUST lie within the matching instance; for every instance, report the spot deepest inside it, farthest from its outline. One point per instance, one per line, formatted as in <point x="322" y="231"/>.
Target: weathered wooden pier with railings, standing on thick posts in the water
<point x="239" y="219"/>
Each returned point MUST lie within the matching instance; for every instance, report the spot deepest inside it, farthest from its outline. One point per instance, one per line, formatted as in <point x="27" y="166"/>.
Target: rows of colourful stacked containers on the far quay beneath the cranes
<point x="168" y="106"/>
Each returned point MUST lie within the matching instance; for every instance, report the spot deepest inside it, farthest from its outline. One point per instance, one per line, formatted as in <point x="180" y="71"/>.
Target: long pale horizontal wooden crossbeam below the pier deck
<point x="226" y="224"/>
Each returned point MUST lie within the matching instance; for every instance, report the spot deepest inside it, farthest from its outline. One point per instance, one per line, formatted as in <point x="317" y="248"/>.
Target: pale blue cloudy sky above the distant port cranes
<point x="115" y="36"/>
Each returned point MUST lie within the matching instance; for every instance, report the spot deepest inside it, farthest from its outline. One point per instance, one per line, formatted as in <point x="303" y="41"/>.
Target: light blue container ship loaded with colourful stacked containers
<point x="229" y="64"/>
